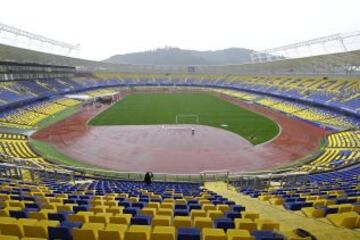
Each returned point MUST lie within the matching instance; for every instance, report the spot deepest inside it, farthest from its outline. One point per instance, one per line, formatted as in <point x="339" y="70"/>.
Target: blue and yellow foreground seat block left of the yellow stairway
<point x="125" y="210"/>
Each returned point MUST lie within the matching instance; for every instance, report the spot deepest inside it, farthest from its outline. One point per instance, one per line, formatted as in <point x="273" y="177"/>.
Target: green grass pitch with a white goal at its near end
<point x="162" y="108"/>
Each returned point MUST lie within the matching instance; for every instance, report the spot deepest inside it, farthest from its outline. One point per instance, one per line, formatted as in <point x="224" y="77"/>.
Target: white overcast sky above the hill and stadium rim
<point x="108" y="27"/>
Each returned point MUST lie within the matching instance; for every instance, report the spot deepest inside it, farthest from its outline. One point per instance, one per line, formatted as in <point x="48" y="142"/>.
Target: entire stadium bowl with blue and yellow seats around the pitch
<point x="268" y="149"/>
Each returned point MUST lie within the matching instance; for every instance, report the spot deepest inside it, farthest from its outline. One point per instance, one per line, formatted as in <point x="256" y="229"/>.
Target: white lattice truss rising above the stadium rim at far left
<point x="32" y="38"/>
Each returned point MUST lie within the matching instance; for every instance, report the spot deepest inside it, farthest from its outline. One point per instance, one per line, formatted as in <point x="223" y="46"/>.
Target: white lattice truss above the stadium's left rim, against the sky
<point x="20" y="38"/>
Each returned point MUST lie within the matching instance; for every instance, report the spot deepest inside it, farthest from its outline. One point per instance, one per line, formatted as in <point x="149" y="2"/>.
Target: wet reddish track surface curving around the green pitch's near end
<point x="173" y="149"/>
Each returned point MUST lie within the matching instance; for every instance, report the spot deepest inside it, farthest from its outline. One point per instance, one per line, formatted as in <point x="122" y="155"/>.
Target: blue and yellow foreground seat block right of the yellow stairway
<point x="334" y="196"/>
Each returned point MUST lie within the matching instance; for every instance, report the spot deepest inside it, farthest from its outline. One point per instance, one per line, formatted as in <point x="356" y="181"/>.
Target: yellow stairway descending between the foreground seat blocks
<point x="321" y="229"/>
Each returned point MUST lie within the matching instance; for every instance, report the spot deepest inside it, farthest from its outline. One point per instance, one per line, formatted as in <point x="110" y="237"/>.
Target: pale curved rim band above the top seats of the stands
<point x="344" y="63"/>
